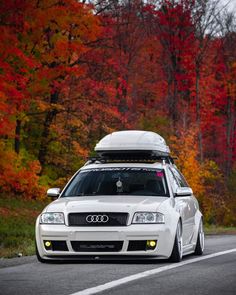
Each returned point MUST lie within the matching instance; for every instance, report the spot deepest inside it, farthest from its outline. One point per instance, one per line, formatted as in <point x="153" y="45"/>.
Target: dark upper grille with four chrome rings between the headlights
<point x="98" y="219"/>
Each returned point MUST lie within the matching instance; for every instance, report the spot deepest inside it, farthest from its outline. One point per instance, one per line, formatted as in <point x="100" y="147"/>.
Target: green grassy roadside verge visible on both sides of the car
<point x="17" y="220"/>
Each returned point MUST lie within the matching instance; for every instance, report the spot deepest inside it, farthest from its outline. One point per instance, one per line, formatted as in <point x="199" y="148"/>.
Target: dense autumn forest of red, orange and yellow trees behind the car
<point x="72" y="71"/>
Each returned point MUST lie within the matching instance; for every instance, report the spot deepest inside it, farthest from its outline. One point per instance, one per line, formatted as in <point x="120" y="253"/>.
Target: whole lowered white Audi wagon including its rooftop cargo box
<point x="128" y="202"/>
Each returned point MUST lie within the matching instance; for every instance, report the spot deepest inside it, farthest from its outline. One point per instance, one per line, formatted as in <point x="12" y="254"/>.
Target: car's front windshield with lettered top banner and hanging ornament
<point x="118" y="181"/>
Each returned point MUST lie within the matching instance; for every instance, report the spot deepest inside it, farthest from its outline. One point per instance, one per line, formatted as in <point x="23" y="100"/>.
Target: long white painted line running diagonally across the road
<point x="147" y="273"/>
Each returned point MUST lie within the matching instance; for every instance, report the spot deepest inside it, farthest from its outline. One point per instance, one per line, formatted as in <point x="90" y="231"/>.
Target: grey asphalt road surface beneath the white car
<point x="208" y="274"/>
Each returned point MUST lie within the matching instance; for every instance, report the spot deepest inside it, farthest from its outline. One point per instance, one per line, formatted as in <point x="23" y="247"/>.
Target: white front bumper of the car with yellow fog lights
<point x="124" y="236"/>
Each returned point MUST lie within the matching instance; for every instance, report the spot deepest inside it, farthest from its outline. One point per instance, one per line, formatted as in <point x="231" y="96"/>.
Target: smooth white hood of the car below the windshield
<point x="129" y="204"/>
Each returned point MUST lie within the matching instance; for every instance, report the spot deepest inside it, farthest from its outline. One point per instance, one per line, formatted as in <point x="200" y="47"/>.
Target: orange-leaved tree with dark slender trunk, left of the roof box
<point x="62" y="33"/>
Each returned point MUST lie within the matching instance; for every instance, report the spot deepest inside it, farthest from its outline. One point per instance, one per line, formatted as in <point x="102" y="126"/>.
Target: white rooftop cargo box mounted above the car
<point x="133" y="141"/>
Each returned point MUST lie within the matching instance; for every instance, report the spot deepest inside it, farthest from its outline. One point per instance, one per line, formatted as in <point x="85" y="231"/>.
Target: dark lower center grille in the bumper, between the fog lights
<point x="97" y="246"/>
